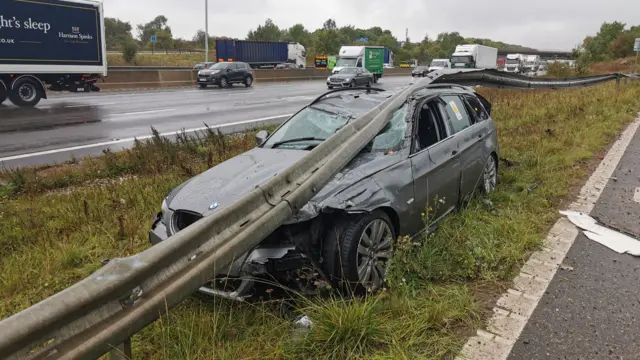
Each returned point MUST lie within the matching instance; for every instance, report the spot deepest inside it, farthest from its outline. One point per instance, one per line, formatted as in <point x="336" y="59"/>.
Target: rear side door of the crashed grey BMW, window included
<point x="469" y="135"/>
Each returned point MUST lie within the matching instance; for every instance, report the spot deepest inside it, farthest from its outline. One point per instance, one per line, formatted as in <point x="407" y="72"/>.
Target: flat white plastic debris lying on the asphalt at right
<point x="616" y="241"/>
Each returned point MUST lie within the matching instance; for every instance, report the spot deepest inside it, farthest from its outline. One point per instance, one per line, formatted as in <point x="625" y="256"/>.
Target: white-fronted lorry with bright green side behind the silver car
<point x="366" y="57"/>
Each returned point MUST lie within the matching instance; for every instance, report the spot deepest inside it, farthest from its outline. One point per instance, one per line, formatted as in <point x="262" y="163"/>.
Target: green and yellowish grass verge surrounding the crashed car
<point x="59" y="223"/>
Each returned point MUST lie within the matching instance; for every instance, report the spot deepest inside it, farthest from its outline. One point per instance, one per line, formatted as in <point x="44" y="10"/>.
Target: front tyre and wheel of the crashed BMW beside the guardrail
<point x="357" y="252"/>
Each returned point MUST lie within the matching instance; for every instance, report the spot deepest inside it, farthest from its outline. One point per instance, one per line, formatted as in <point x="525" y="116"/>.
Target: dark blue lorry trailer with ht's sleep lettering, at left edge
<point x="50" y="44"/>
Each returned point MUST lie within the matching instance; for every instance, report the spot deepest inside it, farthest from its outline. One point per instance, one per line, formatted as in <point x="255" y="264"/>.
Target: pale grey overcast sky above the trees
<point x="542" y="24"/>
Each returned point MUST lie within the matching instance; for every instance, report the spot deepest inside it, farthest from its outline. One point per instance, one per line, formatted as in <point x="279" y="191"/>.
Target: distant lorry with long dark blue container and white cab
<point x="261" y="53"/>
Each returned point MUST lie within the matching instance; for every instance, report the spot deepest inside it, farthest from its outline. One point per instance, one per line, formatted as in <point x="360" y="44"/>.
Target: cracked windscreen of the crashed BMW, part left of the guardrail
<point x="310" y="122"/>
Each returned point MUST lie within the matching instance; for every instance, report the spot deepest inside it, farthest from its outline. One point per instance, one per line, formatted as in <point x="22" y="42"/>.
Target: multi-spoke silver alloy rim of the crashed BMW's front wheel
<point x="374" y="250"/>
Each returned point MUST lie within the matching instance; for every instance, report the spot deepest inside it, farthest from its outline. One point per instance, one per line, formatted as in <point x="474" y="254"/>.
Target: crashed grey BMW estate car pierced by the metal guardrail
<point x="439" y="147"/>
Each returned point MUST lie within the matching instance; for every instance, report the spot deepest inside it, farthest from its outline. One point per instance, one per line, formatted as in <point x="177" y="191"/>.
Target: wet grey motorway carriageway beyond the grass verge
<point x="86" y="124"/>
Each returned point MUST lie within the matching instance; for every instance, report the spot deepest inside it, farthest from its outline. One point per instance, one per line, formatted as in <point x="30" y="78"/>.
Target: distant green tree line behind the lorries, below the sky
<point x="323" y="41"/>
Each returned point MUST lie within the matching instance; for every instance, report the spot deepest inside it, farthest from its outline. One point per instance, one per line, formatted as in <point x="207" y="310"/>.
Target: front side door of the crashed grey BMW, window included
<point x="435" y="166"/>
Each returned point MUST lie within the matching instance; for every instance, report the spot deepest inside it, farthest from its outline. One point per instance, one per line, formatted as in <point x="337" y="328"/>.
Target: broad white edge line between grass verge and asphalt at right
<point x="516" y="306"/>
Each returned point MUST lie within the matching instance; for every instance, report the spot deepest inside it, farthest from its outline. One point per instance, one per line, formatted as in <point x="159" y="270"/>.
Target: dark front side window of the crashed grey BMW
<point x="430" y="127"/>
